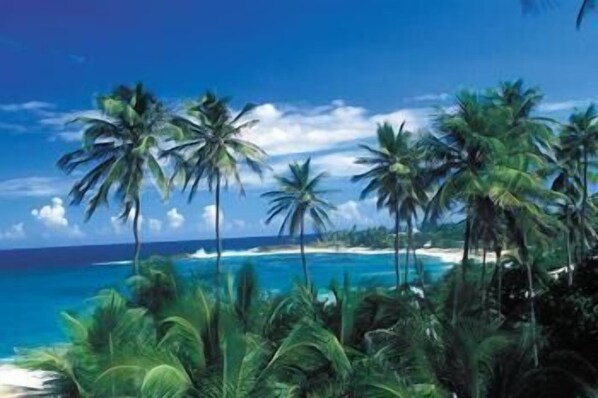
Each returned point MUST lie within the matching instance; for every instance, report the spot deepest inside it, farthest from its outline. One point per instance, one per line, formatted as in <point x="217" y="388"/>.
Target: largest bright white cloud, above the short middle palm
<point x="290" y="130"/>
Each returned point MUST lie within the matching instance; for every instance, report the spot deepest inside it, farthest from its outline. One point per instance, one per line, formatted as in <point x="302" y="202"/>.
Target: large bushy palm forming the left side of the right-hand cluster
<point x="466" y="143"/>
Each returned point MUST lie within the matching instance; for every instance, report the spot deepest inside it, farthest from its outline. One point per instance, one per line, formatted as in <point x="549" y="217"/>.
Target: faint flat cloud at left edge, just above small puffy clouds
<point x="33" y="187"/>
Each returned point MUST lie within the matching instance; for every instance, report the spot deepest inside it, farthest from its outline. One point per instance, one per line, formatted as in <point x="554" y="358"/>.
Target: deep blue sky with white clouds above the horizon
<point x="324" y="73"/>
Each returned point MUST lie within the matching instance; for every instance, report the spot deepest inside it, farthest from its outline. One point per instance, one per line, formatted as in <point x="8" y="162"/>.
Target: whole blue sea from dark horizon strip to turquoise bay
<point x="36" y="285"/>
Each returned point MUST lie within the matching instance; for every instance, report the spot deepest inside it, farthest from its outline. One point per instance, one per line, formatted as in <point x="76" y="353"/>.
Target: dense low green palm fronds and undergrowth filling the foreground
<point x="174" y="336"/>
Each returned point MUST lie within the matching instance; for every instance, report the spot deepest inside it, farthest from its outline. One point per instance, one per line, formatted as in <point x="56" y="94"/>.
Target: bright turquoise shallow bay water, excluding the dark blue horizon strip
<point x="33" y="295"/>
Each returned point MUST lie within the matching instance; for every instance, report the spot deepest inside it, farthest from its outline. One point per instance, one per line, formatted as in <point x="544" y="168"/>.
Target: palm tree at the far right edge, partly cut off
<point x="579" y="145"/>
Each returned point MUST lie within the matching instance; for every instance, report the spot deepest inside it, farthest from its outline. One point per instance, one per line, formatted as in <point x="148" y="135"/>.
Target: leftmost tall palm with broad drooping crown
<point x="120" y="147"/>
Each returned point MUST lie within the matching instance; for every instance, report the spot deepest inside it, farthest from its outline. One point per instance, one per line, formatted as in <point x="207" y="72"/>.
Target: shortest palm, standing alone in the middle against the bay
<point x="299" y="196"/>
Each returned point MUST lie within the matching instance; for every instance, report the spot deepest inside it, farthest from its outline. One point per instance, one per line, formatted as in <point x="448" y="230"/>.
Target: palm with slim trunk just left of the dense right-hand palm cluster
<point x="390" y="167"/>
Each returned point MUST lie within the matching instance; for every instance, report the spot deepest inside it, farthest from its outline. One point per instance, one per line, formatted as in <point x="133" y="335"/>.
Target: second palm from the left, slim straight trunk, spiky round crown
<point x="213" y="149"/>
